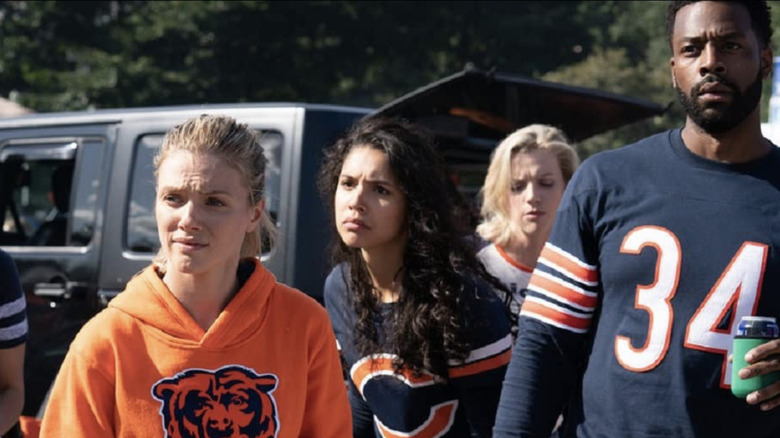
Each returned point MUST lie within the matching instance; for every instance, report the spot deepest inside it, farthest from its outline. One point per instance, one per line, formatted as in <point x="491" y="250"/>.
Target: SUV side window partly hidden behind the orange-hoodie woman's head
<point x="141" y="229"/>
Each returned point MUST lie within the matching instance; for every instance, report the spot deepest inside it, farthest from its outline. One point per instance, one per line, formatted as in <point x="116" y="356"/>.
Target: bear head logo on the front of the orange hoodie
<point x="230" y="402"/>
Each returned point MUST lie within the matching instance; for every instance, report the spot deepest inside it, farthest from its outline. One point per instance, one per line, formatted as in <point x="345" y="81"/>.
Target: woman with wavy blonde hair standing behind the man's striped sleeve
<point x="525" y="181"/>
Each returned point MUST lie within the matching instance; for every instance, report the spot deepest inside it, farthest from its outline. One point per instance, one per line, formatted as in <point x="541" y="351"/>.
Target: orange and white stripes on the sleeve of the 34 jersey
<point x="561" y="291"/>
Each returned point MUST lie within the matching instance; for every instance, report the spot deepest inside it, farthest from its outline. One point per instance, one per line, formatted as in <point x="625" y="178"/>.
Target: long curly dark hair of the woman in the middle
<point x="427" y="320"/>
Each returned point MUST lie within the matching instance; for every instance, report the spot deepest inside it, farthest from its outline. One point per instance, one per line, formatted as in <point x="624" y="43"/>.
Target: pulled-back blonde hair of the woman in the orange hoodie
<point x="234" y="142"/>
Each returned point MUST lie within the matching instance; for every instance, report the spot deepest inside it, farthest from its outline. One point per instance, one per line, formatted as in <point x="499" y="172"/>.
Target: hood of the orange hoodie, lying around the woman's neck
<point x="148" y="300"/>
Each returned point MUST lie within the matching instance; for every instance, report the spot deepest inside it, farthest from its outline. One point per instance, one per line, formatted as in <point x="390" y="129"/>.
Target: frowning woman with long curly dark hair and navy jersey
<point x="424" y="338"/>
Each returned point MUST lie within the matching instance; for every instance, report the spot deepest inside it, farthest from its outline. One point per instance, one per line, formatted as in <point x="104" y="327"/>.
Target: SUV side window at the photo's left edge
<point x="37" y="201"/>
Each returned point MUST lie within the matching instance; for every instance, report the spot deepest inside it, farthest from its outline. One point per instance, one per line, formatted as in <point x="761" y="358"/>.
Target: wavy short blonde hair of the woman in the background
<point x="496" y="226"/>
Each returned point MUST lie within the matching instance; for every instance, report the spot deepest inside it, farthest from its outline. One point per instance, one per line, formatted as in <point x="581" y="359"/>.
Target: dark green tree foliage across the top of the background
<point x="57" y="55"/>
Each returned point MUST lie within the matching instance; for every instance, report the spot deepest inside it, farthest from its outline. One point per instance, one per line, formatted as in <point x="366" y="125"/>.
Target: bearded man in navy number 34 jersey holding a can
<point x="658" y="250"/>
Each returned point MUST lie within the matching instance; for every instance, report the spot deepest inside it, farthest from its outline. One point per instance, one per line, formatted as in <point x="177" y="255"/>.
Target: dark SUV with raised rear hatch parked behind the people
<point x="77" y="189"/>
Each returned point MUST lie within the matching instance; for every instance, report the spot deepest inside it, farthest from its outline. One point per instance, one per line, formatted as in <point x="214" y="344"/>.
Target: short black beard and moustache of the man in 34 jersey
<point x="716" y="118"/>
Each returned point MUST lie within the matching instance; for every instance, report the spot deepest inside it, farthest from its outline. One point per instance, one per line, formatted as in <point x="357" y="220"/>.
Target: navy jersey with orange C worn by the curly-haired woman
<point x="386" y="404"/>
